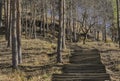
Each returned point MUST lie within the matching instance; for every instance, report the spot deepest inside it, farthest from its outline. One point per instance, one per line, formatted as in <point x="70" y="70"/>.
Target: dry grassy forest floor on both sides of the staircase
<point x="39" y="59"/>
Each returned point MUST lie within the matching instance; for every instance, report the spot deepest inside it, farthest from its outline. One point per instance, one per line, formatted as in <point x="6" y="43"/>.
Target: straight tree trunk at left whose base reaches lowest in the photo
<point x="14" y="37"/>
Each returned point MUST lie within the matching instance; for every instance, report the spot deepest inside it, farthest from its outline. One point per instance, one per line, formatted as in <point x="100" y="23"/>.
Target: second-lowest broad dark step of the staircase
<point x="82" y="68"/>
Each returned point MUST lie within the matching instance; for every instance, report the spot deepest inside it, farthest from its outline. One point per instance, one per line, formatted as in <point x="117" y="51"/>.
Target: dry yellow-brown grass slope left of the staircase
<point x="38" y="61"/>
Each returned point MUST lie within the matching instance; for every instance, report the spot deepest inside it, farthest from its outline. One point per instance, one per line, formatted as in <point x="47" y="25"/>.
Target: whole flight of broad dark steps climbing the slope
<point x="85" y="65"/>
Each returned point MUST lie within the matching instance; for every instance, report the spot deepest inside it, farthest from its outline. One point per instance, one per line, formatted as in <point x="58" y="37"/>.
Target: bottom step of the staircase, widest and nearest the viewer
<point x="80" y="77"/>
